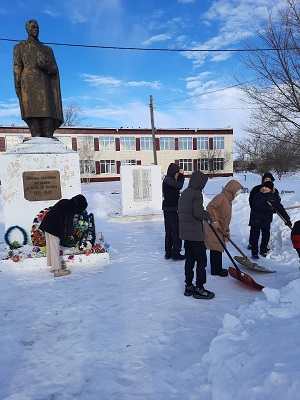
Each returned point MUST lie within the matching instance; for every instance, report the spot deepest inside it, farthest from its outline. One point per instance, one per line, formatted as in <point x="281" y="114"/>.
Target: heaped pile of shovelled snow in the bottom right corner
<point x="257" y="353"/>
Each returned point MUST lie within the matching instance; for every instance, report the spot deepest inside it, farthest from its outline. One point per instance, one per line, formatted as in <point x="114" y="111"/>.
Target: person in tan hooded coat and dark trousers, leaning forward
<point x="220" y="210"/>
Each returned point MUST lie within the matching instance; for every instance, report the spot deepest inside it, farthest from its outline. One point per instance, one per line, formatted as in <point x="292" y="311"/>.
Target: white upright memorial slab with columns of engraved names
<point x="141" y="187"/>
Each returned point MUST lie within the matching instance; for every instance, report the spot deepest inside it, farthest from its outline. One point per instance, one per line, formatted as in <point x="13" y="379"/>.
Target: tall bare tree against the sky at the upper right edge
<point x="275" y="63"/>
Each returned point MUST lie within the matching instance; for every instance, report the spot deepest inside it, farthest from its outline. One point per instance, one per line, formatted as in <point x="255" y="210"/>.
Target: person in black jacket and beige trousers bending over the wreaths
<point x="56" y="221"/>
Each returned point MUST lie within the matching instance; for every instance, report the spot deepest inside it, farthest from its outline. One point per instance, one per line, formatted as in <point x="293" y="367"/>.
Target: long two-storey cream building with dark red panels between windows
<point x="103" y="150"/>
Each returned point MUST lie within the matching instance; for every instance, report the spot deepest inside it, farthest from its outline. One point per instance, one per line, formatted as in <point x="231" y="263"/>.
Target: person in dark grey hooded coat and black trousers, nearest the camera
<point x="191" y="230"/>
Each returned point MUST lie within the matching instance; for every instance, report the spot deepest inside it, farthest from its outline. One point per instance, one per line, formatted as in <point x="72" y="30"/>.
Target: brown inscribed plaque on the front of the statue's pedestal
<point x="41" y="185"/>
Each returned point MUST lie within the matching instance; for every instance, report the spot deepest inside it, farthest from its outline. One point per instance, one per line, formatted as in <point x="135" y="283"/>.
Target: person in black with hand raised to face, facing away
<point x="171" y="186"/>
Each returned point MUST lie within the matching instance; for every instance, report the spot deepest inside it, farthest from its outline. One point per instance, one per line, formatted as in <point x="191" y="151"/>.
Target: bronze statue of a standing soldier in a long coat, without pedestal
<point x="37" y="84"/>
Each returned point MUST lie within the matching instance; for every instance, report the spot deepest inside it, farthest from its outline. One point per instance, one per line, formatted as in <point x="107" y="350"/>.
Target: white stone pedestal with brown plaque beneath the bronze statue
<point x="35" y="175"/>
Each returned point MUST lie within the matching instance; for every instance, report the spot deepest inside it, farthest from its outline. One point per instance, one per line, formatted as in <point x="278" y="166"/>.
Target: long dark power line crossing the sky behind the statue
<point x="88" y="46"/>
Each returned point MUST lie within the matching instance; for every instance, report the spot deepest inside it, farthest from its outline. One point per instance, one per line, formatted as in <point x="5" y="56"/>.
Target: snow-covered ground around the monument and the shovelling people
<point x="126" y="332"/>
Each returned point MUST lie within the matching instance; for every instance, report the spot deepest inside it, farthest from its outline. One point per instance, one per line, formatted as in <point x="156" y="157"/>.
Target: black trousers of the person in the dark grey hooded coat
<point x="195" y="252"/>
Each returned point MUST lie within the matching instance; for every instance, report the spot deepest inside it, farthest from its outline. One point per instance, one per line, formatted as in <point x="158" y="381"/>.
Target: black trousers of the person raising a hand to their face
<point x="172" y="242"/>
